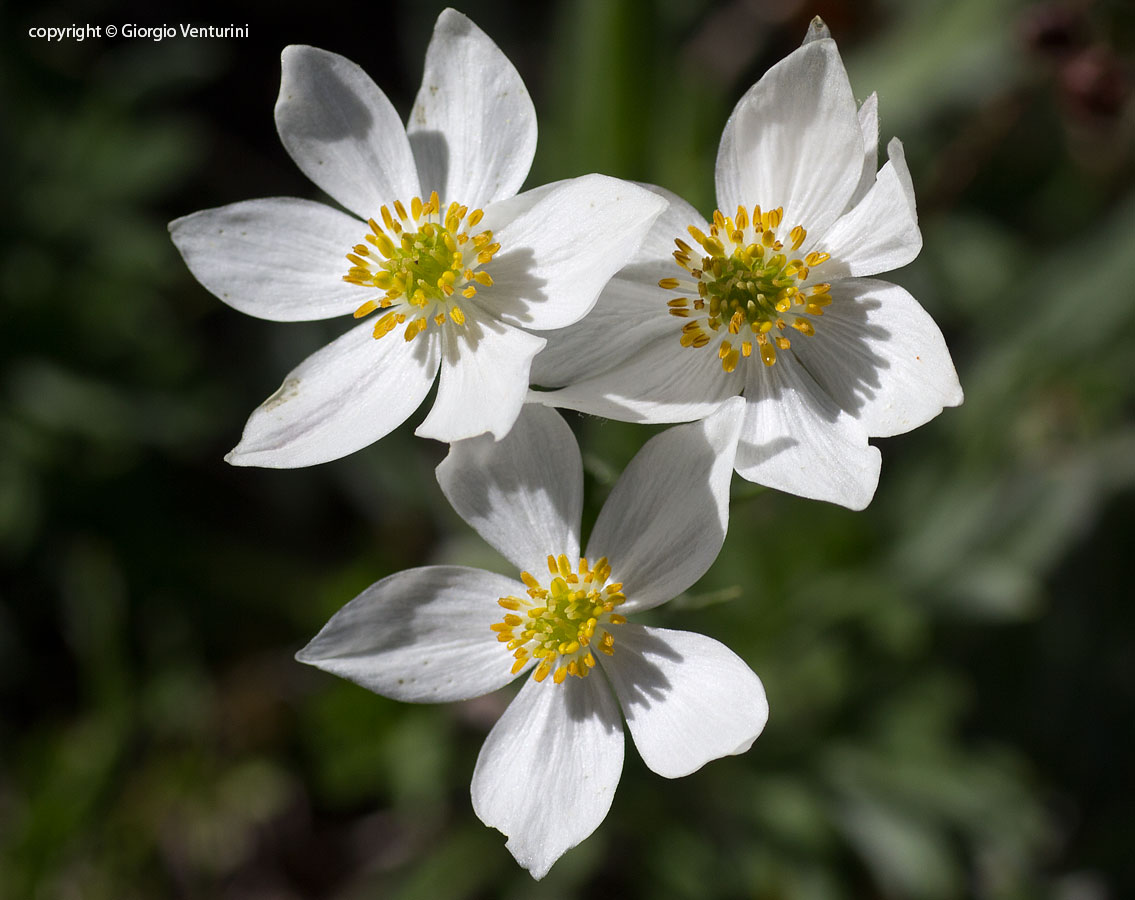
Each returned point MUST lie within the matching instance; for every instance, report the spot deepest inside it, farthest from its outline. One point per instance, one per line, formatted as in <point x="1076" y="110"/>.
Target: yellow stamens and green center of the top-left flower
<point x="423" y="263"/>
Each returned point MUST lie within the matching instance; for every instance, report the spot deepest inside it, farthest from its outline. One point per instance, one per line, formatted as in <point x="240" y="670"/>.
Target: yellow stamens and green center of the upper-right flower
<point x="746" y="287"/>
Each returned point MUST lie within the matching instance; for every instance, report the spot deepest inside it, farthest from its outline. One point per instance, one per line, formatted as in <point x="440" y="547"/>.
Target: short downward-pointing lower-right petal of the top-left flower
<point x="485" y="368"/>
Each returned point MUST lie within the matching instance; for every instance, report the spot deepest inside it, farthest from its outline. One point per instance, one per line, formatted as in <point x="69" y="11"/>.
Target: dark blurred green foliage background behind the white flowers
<point x="951" y="672"/>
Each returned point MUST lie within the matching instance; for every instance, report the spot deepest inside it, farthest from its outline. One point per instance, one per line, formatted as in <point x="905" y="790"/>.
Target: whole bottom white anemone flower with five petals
<point x="549" y="770"/>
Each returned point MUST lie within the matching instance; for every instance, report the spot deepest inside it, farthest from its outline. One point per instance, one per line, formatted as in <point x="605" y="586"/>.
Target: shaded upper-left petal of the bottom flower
<point x="524" y="494"/>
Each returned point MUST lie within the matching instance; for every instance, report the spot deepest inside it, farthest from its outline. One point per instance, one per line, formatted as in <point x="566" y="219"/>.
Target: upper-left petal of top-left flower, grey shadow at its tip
<point x="342" y="131"/>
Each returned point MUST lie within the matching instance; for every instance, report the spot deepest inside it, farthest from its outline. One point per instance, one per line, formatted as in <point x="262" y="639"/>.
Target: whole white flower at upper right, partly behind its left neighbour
<point x="772" y="299"/>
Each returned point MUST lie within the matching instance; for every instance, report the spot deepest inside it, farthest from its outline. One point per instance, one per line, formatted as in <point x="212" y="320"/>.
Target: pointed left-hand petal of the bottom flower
<point x="421" y="636"/>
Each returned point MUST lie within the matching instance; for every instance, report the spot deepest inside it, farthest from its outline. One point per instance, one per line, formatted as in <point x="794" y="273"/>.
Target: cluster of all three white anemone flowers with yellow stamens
<point x="761" y="327"/>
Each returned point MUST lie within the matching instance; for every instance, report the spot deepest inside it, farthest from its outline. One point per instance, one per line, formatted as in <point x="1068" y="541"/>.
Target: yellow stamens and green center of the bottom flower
<point x="560" y="625"/>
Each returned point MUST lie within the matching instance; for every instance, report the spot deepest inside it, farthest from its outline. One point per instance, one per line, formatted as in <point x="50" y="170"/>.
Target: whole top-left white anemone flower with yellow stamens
<point x="458" y="270"/>
